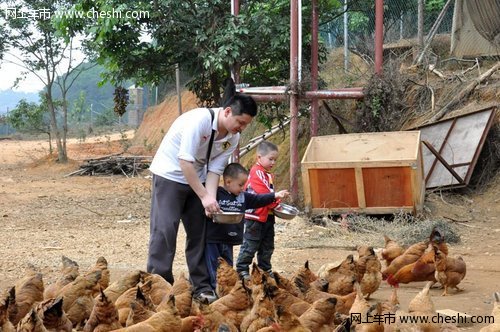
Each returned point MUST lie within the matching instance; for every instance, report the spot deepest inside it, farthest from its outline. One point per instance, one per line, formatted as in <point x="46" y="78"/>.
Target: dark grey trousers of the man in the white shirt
<point x="172" y="202"/>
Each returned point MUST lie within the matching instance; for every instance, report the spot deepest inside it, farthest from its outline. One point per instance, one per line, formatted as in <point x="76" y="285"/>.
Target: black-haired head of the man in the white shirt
<point x="238" y="111"/>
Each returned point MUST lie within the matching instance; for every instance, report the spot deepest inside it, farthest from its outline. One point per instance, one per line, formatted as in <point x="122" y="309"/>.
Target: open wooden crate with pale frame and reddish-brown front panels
<point x="373" y="173"/>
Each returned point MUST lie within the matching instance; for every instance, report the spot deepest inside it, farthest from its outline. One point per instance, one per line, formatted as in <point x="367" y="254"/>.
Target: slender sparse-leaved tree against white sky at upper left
<point x="44" y="53"/>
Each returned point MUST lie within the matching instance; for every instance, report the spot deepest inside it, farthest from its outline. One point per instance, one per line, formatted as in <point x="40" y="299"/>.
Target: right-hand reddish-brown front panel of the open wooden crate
<point x="388" y="186"/>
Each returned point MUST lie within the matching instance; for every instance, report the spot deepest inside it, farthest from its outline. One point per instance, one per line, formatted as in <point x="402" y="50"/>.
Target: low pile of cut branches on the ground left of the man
<point x="126" y="165"/>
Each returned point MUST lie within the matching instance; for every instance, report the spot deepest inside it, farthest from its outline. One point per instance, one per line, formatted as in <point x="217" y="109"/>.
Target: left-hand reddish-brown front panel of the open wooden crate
<point x="333" y="188"/>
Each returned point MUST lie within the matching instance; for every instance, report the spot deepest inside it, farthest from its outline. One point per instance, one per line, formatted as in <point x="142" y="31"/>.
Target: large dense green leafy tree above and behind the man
<point x="202" y="36"/>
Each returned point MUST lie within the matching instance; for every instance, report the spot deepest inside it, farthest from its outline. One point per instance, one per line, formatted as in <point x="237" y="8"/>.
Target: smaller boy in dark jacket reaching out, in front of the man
<point x="231" y="197"/>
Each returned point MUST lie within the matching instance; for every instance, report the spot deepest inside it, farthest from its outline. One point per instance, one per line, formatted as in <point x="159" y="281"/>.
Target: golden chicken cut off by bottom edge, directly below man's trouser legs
<point x="167" y="319"/>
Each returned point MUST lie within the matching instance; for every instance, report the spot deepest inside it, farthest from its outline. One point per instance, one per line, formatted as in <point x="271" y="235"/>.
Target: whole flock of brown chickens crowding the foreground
<point x="328" y="300"/>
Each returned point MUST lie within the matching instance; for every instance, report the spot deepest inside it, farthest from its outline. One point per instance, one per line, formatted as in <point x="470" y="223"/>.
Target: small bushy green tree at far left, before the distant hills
<point x="32" y="118"/>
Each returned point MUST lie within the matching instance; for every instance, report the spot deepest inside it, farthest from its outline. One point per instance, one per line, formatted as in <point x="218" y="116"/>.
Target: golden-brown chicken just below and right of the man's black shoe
<point x="235" y="305"/>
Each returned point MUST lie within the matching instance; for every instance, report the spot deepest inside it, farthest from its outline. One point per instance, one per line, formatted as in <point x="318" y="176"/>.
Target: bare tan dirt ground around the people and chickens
<point x="45" y="214"/>
